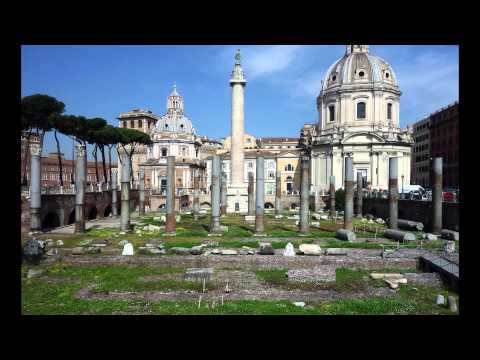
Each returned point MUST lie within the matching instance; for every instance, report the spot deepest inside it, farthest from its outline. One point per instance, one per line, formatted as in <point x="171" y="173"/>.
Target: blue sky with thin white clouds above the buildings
<point x="283" y="82"/>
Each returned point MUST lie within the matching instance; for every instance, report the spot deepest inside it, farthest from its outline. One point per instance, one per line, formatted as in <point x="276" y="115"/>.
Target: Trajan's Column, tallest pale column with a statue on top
<point x="237" y="189"/>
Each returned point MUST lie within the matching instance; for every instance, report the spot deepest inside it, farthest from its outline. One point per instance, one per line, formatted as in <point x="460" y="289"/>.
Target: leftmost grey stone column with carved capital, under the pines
<point x="35" y="190"/>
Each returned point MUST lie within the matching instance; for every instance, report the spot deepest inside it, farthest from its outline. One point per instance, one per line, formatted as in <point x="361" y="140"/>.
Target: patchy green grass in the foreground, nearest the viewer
<point x="53" y="293"/>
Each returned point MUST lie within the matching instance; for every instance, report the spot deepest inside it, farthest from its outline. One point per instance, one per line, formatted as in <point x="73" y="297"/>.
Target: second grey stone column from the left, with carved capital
<point x="80" y="182"/>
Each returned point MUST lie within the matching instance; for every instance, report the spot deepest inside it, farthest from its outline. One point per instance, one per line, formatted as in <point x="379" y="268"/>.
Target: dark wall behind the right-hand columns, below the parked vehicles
<point x="415" y="210"/>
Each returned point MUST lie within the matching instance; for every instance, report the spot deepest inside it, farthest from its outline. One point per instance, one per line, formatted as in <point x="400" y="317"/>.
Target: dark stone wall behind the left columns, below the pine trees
<point x="59" y="209"/>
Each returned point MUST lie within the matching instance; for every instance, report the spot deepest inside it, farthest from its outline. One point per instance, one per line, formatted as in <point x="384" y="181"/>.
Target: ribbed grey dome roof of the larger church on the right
<point x="359" y="67"/>
